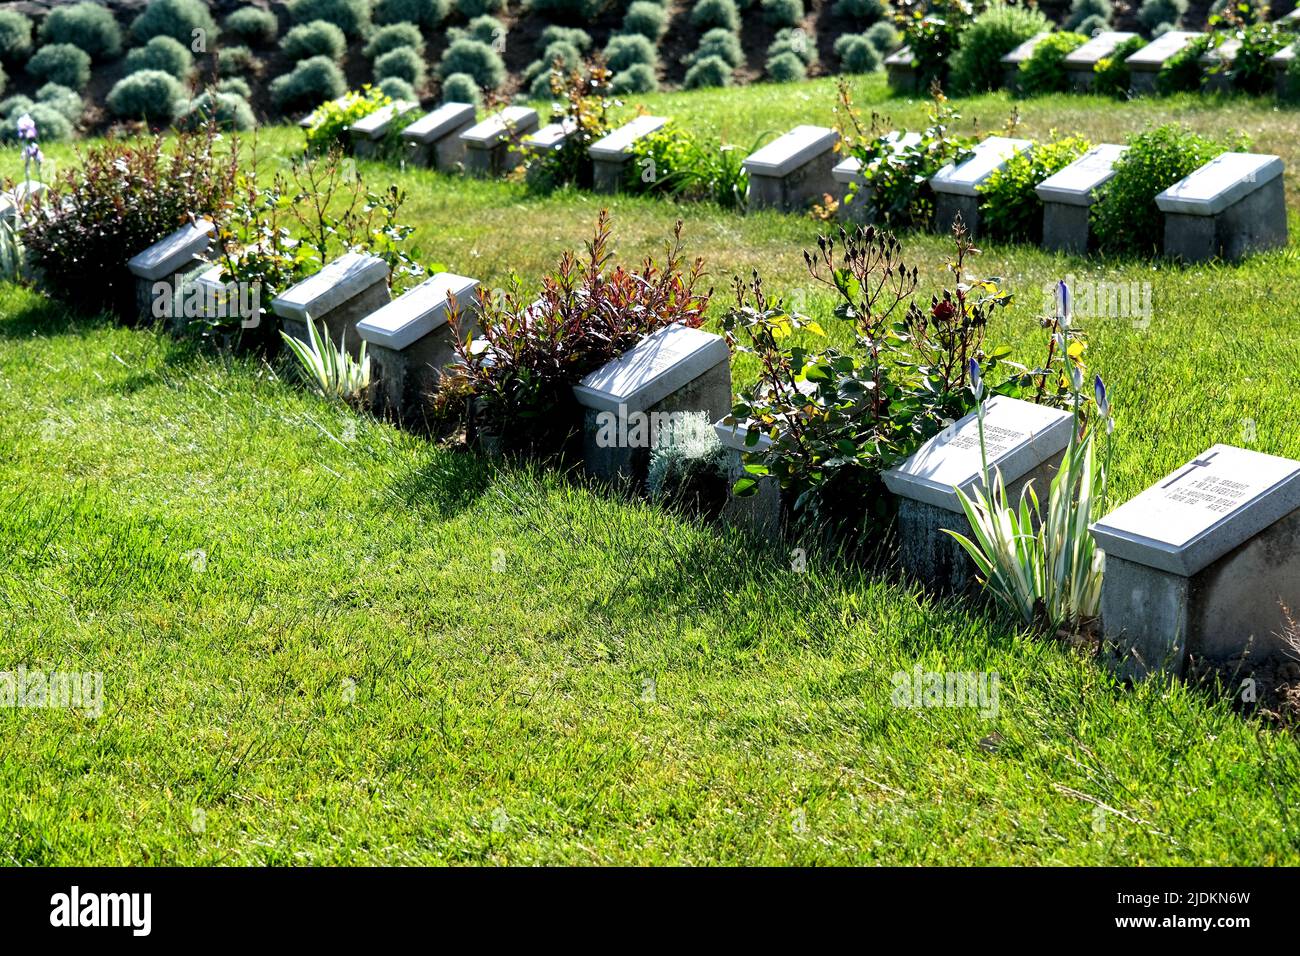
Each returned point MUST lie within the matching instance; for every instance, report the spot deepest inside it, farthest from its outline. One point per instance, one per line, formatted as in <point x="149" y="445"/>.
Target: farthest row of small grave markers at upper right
<point x="1145" y="64"/>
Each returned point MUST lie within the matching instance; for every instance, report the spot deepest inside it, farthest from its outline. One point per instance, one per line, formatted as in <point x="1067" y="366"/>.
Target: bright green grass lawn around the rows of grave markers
<point x="343" y="644"/>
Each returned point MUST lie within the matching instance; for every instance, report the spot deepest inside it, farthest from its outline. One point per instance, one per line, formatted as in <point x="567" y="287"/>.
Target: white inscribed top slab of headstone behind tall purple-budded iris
<point x="1019" y="436"/>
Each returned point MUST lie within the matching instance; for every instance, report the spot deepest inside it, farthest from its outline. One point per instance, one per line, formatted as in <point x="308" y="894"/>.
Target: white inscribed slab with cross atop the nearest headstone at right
<point x="1202" y="512"/>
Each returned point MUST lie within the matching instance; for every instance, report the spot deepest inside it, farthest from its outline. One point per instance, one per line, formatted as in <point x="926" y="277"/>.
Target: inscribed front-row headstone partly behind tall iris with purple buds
<point x="1025" y="443"/>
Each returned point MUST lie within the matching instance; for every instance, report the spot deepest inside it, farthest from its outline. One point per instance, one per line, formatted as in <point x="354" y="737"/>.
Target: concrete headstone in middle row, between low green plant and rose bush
<point x="794" y="170"/>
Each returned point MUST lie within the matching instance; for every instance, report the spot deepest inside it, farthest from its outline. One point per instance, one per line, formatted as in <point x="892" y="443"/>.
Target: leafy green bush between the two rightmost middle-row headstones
<point x="1125" y="218"/>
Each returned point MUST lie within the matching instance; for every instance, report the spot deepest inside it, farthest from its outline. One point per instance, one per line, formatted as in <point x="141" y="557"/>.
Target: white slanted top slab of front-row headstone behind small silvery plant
<point x="657" y="367"/>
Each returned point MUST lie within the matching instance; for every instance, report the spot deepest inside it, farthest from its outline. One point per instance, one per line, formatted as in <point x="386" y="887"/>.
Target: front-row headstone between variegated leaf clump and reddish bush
<point x="410" y="343"/>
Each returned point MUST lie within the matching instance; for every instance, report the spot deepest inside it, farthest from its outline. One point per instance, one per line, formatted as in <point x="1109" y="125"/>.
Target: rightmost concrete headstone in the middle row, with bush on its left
<point x="1230" y="207"/>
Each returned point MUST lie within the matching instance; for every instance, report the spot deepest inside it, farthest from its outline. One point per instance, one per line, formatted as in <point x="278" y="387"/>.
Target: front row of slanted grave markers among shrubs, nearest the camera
<point x="1204" y="563"/>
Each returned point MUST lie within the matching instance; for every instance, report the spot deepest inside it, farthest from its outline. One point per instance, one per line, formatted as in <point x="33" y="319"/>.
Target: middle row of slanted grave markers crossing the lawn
<point x="1228" y="209"/>
